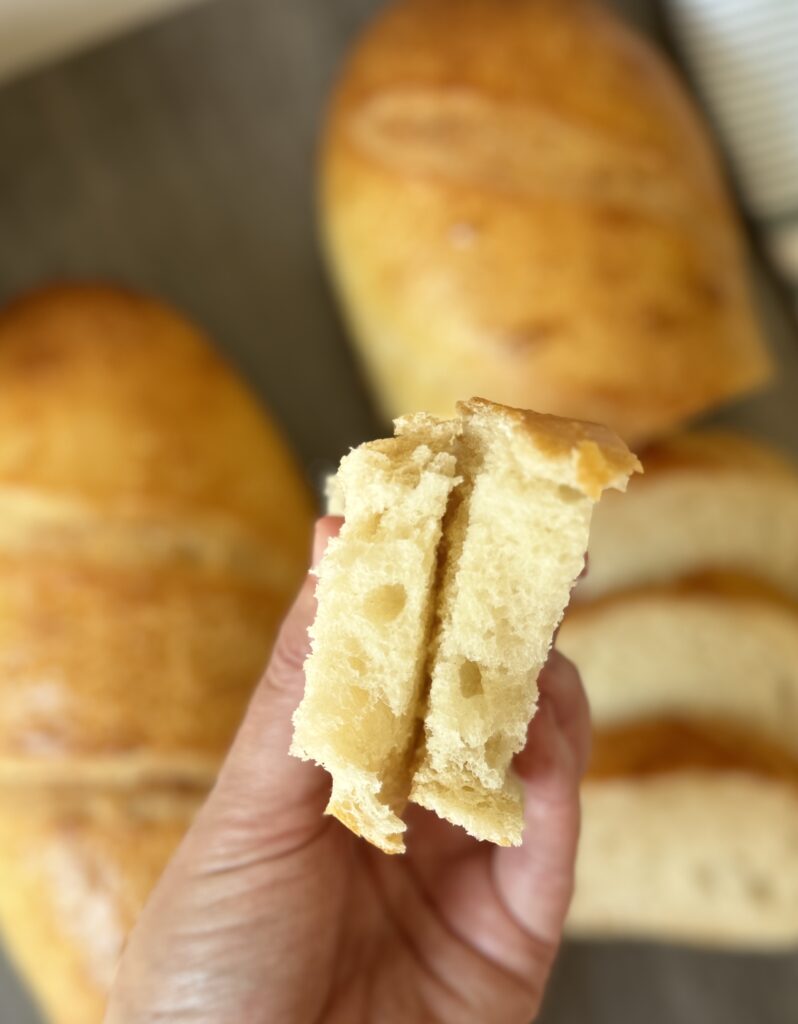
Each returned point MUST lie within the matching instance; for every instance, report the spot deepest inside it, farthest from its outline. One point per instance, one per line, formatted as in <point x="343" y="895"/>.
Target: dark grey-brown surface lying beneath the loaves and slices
<point x="180" y="160"/>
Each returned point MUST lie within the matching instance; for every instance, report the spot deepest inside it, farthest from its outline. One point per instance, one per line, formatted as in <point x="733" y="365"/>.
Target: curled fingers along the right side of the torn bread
<point x="535" y="881"/>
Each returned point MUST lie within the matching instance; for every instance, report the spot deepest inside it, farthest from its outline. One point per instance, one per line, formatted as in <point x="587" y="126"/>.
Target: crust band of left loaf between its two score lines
<point x="146" y="671"/>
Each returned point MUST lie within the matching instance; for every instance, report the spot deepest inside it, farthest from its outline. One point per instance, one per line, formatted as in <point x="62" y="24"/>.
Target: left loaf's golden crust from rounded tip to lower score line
<point x="154" y="530"/>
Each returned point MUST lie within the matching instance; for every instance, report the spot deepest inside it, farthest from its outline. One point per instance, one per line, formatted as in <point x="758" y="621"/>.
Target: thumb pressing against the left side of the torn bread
<point x="272" y="797"/>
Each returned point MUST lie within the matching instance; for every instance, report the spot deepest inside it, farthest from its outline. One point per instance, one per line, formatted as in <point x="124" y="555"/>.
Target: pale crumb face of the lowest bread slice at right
<point x="699" y="858"/>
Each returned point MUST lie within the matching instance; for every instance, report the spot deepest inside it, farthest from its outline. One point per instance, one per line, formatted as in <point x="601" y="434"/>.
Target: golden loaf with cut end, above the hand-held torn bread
<point x="519" y="199"/>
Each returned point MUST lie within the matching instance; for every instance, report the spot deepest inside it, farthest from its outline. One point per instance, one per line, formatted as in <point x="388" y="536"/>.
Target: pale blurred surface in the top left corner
<point x="34" y="31"/>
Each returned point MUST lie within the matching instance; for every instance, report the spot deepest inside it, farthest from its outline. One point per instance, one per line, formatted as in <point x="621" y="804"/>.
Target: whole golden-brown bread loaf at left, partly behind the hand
<point x="153" y="530"/>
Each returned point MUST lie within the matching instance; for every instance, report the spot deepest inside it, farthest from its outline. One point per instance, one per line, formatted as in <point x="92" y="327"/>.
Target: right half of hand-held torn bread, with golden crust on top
<point x="515" y="546"/>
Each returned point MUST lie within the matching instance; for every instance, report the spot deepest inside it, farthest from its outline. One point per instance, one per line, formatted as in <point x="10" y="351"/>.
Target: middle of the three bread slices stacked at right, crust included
<point x="713" y="650"/>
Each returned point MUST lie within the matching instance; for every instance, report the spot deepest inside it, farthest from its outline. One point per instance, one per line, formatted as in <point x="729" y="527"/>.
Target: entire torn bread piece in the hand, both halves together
<point x="437" y="608"/>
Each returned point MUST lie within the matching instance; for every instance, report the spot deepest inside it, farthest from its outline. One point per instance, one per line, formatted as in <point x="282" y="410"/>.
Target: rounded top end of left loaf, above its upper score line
<point x="113" y="399"/>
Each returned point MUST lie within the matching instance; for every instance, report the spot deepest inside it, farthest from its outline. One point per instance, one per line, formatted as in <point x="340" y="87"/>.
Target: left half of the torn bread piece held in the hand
<point x="366" y="671"/>
